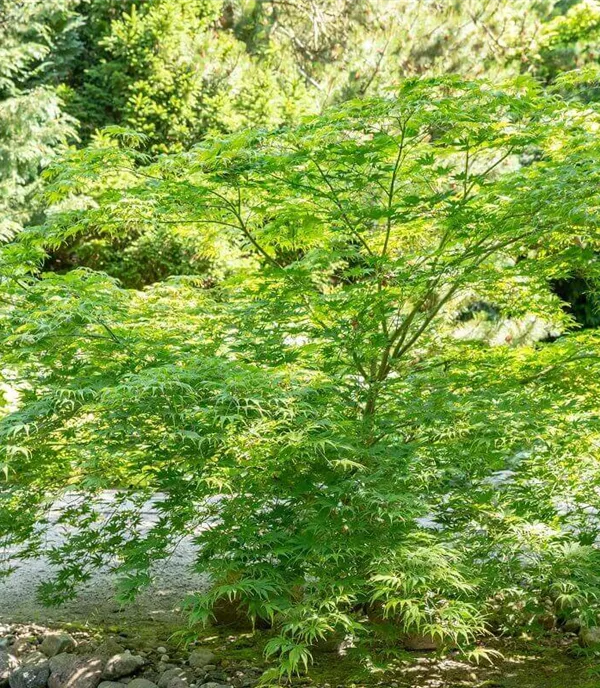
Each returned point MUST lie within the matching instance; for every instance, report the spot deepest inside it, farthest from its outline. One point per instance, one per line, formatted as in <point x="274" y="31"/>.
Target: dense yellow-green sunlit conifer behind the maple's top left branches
<point x="169" y="69"/>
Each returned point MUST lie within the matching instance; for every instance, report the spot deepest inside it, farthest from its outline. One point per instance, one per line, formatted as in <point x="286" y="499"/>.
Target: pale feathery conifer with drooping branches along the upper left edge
<point x="33" y="126"/>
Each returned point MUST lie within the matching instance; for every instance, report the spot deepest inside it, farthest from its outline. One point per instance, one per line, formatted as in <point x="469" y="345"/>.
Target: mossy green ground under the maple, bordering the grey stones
<point x="550" y="661"/>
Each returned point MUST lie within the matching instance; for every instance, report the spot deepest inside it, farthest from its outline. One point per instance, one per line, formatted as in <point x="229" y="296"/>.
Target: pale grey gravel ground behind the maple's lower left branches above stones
<point x="96" y="602"/>
